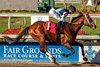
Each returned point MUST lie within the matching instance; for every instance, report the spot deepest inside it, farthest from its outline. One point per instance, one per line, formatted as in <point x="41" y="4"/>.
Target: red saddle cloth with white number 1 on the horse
<point x="51" y="27"/>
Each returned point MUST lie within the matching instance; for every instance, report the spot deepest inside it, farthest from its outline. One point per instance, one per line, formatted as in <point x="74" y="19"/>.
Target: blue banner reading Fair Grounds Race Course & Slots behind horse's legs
<point x="30" y="52"/>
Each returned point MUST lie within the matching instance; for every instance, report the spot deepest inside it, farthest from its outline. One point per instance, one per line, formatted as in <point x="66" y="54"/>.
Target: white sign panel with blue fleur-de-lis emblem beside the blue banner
<point x="90" y="50"/>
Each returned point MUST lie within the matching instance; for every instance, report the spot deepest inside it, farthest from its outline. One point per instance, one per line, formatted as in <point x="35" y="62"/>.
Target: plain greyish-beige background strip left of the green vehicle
<point x="19" y="5"/>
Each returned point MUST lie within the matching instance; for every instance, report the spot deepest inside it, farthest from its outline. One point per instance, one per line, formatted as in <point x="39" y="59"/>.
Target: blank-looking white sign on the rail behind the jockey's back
<point x="39" y="17"/>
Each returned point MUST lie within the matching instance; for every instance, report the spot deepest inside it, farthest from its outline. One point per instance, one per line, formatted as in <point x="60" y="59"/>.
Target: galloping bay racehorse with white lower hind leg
<point x="38" y="32"/>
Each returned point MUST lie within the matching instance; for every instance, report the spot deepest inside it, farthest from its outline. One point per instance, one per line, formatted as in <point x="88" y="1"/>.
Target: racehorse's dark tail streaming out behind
<point x="13" y="40"/>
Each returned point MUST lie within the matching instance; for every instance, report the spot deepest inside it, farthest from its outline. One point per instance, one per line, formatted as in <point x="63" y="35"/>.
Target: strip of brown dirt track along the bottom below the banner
<point x="30" y="64"/>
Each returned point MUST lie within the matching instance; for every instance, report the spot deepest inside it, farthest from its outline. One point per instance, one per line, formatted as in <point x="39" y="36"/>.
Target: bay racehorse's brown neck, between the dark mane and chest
<point x="76" y="26"/>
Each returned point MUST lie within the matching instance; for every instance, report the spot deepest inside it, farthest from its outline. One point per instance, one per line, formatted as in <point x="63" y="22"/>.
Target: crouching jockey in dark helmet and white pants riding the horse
<point x="60" y="14"/>
